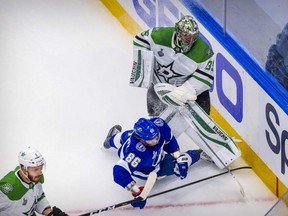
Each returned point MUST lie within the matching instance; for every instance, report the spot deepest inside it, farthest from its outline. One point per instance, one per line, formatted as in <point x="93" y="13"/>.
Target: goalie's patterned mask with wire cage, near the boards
<point x="187" y="32"/>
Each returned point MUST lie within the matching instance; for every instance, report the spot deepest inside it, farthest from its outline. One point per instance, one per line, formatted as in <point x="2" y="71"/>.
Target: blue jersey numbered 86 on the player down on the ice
<point x="137" y="159"/>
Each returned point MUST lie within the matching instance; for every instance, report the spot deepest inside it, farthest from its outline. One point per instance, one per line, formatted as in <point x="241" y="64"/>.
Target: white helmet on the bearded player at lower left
<point x="30" y="157"/>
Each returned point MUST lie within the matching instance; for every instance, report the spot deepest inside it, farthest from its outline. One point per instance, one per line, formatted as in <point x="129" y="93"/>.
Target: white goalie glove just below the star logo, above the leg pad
<point x="175" y="96"/>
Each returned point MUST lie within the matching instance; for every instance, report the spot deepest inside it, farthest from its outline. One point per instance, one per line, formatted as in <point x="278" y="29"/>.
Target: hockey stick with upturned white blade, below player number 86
<point x="144" y="194"/>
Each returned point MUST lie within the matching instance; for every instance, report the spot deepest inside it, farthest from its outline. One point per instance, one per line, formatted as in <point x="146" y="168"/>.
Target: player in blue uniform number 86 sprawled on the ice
<point x="150" y="146"/>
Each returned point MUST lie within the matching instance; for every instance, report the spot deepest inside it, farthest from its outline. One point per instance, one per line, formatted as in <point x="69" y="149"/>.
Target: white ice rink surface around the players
<point x="65" y="68"/>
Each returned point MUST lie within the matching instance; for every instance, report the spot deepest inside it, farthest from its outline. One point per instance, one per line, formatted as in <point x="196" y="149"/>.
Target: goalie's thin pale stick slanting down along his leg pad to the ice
<point x="189" y="108"/>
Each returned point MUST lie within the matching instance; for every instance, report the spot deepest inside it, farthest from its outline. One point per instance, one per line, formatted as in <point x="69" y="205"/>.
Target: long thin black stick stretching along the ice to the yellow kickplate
<point x="160" y="193"/>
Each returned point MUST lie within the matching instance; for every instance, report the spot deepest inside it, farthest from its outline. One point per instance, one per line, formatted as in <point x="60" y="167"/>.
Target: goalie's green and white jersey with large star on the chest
<point x="174" y="67"/>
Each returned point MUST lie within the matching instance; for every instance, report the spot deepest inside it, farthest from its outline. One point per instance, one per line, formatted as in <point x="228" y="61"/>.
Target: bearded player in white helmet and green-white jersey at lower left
<point x="21" y="191"/>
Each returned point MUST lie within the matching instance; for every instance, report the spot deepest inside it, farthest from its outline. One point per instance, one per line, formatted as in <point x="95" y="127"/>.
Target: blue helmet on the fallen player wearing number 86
<point x="147" y="132"/>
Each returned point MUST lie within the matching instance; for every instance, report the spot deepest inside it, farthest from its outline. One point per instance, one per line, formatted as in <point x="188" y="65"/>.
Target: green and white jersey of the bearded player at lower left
<point x="18" y="198"/>
